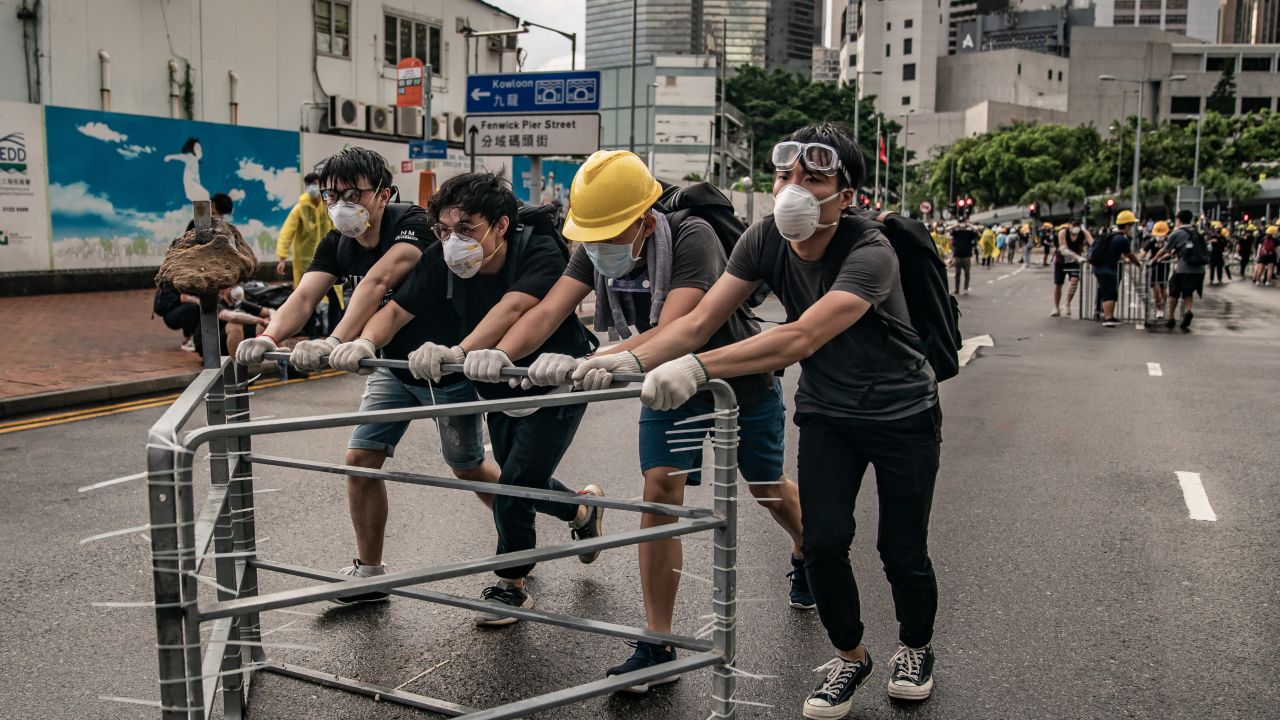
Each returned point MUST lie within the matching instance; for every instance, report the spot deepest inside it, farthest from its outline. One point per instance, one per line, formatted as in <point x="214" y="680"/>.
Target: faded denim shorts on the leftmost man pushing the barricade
<point x="461" y="436"/>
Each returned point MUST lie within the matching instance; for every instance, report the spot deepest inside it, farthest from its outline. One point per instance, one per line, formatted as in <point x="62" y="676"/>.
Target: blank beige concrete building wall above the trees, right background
<point x="1018" y="78"/>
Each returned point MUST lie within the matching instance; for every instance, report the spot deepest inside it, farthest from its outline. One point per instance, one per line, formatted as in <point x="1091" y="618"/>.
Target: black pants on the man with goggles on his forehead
<point x="833" y="459"/>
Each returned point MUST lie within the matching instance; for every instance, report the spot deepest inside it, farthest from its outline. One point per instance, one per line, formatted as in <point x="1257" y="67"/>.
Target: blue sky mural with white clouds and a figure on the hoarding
<point x="121" y="186"/>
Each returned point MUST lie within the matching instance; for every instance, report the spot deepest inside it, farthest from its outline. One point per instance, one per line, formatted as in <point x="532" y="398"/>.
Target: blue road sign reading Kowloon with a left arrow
<point x="534" y="93"/>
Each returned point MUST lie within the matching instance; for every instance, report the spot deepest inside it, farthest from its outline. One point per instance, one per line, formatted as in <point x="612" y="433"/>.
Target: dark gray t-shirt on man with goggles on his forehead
<point x="867" y="372"/>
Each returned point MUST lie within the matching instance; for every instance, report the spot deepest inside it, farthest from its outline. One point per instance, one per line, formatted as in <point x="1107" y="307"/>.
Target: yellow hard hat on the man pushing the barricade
<point x="610" y="192"/>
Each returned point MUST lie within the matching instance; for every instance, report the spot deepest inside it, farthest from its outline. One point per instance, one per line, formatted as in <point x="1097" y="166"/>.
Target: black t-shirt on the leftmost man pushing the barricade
<point x="348" y="261"/>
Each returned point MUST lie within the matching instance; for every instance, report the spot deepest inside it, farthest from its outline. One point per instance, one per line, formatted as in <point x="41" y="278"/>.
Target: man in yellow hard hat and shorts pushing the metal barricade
<point x="648" y="268"/>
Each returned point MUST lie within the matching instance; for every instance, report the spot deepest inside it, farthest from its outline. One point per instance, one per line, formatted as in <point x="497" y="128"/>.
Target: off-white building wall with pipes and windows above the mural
<point x="268" y="44"/>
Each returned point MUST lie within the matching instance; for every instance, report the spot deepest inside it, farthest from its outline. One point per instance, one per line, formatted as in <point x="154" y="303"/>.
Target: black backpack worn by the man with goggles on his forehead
<point x="935" y="313"/>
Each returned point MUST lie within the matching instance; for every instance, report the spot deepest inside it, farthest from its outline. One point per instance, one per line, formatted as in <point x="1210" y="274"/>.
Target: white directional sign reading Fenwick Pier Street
<point x="560" y="134"/>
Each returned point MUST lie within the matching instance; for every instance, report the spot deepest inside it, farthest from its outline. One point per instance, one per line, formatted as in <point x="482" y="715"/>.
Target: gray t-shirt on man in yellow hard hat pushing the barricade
<point x="698" y="261"/>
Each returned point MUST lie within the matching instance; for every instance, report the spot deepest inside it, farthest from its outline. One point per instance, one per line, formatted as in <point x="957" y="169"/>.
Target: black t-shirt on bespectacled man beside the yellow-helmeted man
<point x="532" y="267"/>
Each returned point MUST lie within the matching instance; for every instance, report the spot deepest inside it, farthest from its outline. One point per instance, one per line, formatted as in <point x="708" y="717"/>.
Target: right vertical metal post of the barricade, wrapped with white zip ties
<point x="725" y="557"/>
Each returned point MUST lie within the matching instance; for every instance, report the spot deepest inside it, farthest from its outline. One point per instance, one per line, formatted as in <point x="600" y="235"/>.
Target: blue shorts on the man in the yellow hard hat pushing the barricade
<point x="762" y="429"/>
